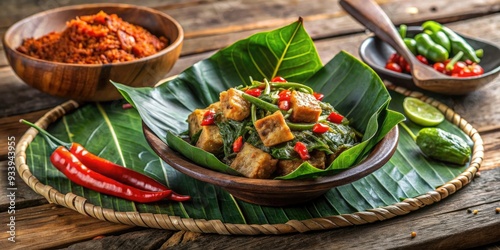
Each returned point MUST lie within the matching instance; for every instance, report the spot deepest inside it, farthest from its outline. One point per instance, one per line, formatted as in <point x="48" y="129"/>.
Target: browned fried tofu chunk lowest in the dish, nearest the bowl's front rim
<point x="254" y="163"/>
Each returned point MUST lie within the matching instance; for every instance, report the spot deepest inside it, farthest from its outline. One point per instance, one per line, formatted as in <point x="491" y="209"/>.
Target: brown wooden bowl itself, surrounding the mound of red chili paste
<point x="92" y="82"/>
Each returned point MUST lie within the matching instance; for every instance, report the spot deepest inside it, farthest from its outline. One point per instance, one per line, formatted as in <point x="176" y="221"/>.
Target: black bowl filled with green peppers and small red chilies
<point x="471" y="61"/>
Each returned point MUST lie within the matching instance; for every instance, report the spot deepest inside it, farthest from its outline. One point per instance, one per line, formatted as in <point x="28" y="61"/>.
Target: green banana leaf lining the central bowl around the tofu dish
<point x="352" y="87"/>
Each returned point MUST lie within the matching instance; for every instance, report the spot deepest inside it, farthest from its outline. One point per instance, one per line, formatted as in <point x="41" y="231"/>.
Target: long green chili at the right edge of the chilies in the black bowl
<point x="457" y="42"/>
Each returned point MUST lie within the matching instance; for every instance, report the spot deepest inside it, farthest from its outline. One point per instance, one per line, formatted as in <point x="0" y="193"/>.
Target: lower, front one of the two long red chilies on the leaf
<point x="78" y="173"/>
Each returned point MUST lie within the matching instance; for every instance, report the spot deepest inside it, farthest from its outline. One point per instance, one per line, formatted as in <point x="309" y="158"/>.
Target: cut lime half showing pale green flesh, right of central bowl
<point x="422" y="113"/>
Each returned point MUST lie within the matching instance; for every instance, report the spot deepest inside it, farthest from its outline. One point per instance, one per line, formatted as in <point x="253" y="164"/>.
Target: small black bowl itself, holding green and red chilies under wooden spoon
<point x="375" y="52"/>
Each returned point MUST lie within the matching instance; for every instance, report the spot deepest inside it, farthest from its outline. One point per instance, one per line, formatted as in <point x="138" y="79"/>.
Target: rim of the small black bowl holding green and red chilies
<point x="403" y="76"/>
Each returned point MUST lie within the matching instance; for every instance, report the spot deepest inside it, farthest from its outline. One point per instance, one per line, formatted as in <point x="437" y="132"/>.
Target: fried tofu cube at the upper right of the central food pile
<point x="305" y="107"/>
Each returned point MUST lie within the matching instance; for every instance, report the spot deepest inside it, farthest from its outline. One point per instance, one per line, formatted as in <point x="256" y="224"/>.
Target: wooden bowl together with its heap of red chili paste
<point x="73" y="52"/>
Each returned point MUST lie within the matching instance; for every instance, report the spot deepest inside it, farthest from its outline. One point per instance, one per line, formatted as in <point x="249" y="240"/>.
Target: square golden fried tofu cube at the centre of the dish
<point x="273" y="129"/>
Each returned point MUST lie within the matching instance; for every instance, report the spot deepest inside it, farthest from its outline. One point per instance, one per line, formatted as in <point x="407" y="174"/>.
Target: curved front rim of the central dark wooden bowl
<point x="241" y="183"/>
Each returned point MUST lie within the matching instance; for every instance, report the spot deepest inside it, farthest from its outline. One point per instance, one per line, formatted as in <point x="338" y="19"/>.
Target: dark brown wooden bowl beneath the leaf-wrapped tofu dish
<point x="276" y="192"/>
